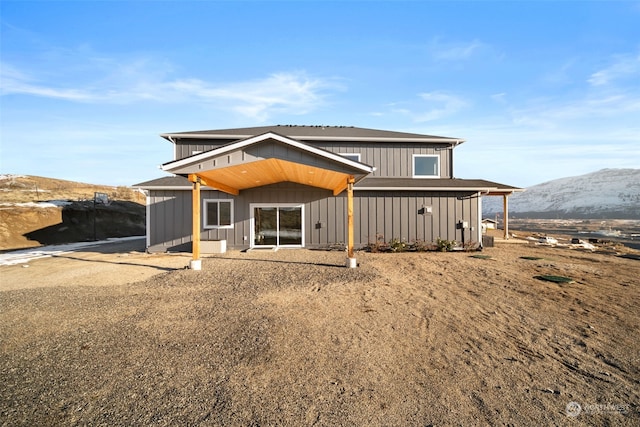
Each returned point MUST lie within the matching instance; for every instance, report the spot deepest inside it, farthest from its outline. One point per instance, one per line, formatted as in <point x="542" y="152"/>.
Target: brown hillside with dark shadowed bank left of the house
<point x="38" y="211"/>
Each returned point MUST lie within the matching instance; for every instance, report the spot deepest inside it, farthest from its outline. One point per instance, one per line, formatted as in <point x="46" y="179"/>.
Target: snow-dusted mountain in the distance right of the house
<point x="608" y="193"/>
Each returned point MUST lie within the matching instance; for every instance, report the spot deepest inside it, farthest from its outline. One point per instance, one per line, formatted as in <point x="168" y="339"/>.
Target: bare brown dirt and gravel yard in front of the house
<point x="294" y="338"/>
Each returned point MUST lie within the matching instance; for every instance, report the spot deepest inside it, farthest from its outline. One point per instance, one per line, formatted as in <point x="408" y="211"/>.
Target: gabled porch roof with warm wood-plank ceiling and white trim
<point x="268" y="159"/>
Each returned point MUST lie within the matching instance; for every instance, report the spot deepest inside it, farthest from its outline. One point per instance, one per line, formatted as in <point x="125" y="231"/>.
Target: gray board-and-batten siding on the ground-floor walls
<point x="377" y="214"/>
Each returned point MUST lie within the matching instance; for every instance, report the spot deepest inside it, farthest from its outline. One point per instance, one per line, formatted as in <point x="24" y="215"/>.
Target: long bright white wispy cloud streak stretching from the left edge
<point x="292" y="92"/>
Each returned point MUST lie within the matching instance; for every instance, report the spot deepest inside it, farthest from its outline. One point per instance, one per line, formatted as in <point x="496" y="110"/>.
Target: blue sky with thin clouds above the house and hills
<point x="540" y="90"/>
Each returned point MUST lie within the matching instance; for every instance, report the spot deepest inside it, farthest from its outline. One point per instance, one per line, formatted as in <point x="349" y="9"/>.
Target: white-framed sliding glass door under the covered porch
<point x="277" y="225"/>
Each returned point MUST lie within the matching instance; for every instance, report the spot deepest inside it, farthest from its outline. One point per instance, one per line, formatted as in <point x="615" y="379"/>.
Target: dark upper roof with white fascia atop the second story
<point x="315" y="133"/>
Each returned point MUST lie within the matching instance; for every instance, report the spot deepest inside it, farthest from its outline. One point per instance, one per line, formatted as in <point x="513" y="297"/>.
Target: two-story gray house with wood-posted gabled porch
<point x="290" y="186"/>
